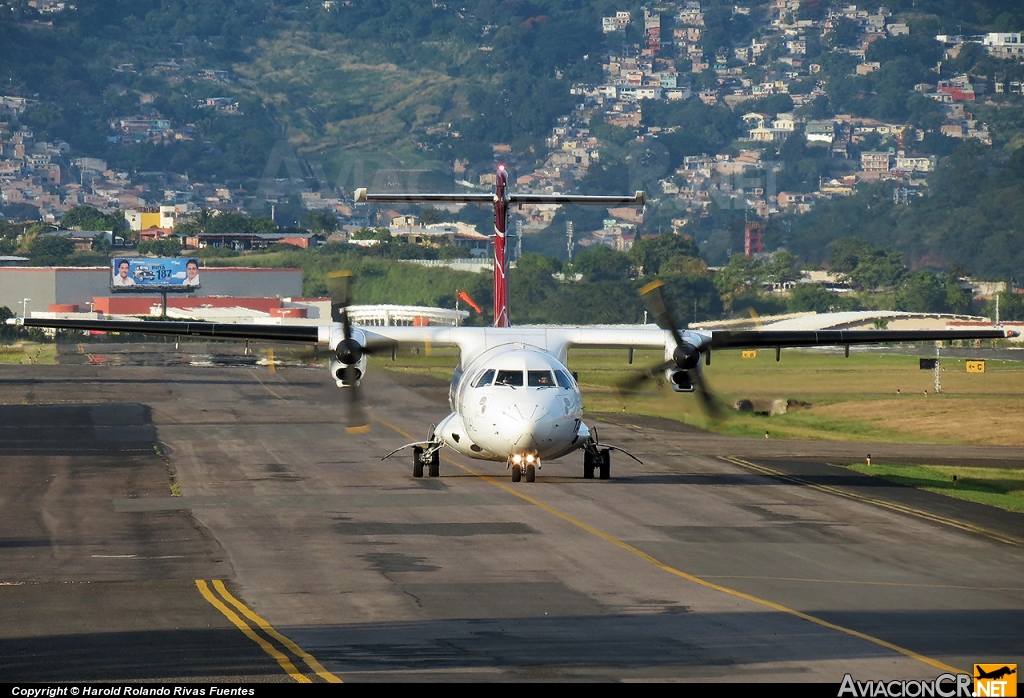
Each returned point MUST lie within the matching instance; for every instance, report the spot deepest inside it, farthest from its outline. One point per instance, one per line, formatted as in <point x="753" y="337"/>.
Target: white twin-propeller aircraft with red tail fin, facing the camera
<point x="514" y="400"/>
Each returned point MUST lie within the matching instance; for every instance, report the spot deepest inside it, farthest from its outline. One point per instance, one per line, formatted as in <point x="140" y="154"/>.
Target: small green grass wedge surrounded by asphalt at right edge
<point x="992" y="487"/>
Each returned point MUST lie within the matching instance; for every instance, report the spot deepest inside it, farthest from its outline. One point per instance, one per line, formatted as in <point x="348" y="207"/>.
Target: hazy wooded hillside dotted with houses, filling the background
<point x="754" y="126"/>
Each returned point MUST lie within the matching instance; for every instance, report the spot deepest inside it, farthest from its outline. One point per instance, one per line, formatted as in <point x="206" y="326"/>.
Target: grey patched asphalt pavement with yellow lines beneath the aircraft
<point x="292" y="553"/>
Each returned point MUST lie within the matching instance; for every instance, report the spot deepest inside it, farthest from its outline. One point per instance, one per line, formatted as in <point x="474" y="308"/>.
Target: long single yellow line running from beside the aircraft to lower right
<point x="685" y="576"/>
